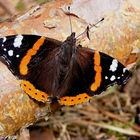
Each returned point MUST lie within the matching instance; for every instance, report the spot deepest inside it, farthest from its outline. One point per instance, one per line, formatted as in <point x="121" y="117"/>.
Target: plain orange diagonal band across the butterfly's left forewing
<point x="23" y="68"/>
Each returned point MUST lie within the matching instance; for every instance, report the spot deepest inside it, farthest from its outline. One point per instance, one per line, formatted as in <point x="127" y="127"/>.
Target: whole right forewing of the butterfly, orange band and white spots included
<point x="109" y="71"/>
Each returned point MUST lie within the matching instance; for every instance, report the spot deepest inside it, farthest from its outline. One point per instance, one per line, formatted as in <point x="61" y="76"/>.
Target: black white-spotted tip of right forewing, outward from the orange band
<point x="113" y="72"/>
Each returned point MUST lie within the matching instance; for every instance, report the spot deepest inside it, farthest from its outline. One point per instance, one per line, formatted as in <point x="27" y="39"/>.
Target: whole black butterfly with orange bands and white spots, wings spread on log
<point x="53" y="71"/>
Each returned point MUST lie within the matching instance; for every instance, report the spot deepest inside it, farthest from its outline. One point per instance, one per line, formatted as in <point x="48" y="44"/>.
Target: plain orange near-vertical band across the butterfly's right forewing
<point x="98" y="70"/>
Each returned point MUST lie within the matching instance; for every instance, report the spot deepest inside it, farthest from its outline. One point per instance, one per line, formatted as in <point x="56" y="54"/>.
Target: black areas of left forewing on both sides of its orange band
<point x="19" y="52"/>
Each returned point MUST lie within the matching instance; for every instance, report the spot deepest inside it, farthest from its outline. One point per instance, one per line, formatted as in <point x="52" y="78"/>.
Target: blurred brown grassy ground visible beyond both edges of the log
<point x="114" y="115"/>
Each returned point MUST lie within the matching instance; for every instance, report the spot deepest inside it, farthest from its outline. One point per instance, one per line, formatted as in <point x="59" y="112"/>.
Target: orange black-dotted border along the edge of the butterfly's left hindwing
<point x="33" y="92"/>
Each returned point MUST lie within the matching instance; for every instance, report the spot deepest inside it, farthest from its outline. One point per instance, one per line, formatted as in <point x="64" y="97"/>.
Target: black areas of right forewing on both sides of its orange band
<point x="86" y="62"/>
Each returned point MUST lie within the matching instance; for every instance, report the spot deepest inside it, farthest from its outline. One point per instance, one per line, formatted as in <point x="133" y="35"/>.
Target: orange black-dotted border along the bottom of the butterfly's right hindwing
<point x="74" y="100"/>
